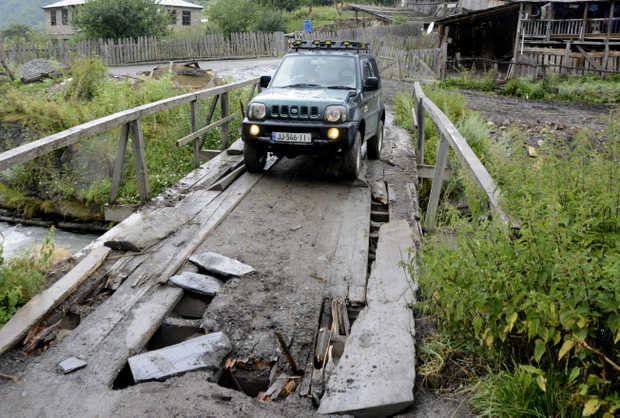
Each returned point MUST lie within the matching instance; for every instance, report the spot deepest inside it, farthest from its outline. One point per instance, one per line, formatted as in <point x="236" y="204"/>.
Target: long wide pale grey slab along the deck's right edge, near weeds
<point x="376" y="373"/>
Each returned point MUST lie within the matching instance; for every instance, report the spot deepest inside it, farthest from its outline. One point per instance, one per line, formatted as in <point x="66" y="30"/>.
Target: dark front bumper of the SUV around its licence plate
<point x="320" y="144"/>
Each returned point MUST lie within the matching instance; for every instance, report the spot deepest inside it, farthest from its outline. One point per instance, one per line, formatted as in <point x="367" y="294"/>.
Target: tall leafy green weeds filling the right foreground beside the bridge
<point x="539" y="309"/>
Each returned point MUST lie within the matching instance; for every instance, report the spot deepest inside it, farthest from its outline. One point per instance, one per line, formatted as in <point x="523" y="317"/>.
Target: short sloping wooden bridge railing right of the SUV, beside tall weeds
<point x="450" y="137"/>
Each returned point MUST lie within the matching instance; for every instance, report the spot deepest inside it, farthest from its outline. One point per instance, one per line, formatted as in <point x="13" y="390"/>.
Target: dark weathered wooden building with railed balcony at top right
<point x="560" y="36"/>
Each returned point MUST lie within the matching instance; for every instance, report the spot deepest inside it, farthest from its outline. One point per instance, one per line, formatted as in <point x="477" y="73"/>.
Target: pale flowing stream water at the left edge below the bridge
<point x="18" y="238"/>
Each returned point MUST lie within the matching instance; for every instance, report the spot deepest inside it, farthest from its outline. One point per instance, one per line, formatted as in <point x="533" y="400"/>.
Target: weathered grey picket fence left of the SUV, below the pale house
<point x="145" y="49"/>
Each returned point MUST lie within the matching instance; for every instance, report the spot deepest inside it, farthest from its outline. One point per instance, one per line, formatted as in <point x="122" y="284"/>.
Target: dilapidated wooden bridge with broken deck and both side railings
<point x="324" y="316"/>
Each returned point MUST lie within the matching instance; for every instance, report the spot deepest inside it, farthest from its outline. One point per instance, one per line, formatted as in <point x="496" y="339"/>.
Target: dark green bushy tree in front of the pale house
<point x="116" y="19"/>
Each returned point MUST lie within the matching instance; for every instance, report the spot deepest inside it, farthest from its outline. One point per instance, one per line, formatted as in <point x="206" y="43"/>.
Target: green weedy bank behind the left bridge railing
<point x="75" y="181"/>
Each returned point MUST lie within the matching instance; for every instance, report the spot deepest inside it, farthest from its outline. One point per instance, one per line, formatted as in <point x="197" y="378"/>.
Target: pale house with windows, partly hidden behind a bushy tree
<point x="58" y="16"/>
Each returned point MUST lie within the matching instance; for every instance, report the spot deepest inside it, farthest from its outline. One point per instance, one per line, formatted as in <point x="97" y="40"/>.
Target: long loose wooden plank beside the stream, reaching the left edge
<point x="39" y="306"/>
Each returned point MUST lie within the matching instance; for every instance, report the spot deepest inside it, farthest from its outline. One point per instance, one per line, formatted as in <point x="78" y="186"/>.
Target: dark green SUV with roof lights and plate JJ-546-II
<point x="324" y="99"/>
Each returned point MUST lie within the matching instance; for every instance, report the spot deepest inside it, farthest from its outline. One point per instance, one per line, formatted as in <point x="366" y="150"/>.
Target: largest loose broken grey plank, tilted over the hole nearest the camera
<point x="201" y="353"/>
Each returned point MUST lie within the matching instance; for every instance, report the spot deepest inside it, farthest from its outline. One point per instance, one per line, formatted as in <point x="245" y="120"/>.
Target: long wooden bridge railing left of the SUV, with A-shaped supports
<point x="130" y="120"/>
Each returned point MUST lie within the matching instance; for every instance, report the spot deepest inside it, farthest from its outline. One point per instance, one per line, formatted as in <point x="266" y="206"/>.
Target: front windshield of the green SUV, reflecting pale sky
<point x="316" y="71"/>
